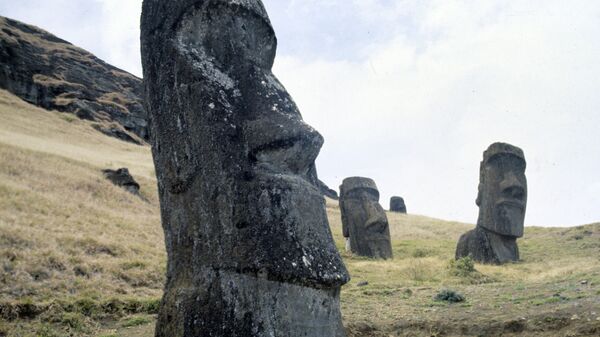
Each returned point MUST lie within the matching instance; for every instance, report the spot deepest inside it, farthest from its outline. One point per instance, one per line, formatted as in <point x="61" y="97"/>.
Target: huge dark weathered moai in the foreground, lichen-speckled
<point x="250" y="252"/>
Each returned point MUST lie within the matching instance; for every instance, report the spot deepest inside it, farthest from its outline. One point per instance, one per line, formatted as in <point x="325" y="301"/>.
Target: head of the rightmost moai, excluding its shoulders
<point x="502" y="196"/>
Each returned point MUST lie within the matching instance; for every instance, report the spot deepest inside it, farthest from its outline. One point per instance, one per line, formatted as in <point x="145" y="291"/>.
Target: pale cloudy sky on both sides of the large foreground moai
<point x="411" y="92"/>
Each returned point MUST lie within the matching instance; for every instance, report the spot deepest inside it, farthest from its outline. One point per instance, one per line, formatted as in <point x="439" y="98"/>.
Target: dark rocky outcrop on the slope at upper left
<point x="52" y="73"/>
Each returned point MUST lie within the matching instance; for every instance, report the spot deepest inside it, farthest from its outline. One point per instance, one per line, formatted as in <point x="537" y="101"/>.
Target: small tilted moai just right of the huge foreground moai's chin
<point x="364" y="223"/>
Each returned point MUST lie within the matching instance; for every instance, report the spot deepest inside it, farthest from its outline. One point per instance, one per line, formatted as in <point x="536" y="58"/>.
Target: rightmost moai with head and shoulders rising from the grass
<point x="502" y="199"/>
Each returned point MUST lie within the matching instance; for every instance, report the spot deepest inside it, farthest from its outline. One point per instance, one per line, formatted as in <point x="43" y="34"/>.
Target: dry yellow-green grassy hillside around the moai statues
<point x="81" y="257"/>
